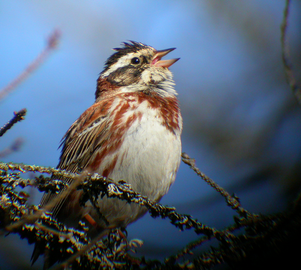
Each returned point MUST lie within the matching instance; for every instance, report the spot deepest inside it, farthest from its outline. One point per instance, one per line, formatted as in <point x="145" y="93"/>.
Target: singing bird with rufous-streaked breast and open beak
<point x="132" y="132"/>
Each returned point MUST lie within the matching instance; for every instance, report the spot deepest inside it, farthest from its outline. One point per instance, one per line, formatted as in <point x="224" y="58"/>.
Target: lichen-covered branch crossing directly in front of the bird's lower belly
<point x="123" y="191"/>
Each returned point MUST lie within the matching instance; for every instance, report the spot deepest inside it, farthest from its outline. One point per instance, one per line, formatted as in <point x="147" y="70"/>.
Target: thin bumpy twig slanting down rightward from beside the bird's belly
<point x="231" y="200"/>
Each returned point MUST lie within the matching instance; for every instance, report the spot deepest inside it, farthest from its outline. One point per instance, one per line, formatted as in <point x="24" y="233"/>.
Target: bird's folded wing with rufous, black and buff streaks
<point x="83" y="138"/>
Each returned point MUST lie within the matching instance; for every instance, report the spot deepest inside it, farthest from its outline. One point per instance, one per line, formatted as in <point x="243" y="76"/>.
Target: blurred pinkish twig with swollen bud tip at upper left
<point x="51" y="45"/>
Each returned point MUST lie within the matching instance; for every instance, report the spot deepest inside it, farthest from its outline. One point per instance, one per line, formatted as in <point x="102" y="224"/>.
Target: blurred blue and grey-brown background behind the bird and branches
<point x="242" y="124"/>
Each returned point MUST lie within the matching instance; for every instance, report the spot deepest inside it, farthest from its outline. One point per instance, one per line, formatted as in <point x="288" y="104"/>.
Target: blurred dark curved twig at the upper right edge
<point x="285" y="54"/>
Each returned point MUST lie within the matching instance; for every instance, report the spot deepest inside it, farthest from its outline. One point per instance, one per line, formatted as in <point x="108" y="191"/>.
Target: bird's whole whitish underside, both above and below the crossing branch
<point x="148" y="159"/>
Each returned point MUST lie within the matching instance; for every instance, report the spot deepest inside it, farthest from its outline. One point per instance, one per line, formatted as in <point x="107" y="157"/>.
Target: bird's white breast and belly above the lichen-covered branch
<point x="151" y="157"/>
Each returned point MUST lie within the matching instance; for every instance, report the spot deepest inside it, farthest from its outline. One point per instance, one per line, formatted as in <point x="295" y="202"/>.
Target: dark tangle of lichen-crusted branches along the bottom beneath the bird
<point x="61" y="243"/>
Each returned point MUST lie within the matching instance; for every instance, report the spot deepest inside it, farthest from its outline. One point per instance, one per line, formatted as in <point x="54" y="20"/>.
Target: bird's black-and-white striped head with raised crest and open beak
<point x="137" y="67"/>
